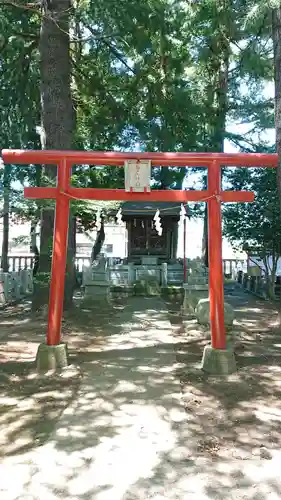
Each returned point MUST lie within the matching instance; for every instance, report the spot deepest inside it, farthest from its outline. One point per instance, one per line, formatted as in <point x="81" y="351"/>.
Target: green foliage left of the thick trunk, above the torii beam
<point x="19" y="77"/>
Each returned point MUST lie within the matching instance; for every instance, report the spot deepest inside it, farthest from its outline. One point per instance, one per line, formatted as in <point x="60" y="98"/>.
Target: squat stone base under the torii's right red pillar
<point x="218" y="361"/>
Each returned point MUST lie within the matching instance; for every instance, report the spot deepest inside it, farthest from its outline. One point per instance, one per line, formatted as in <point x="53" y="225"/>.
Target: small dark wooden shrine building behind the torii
<point x="143" y="239"/>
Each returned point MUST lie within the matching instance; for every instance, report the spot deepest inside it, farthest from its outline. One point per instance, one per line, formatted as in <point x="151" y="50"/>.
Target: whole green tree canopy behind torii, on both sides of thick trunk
<point x="151" y="75"/>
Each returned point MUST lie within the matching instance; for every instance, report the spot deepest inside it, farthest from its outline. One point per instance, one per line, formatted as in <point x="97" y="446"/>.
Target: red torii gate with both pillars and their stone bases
<point x="217" y="359"/>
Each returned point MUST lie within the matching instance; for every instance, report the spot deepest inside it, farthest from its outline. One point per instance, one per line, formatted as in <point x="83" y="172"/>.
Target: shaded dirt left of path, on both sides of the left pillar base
<point x="30" y="405"/>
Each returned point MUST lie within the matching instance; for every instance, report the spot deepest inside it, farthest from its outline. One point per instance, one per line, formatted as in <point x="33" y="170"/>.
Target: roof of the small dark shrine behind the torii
<point x="147" y="208"/>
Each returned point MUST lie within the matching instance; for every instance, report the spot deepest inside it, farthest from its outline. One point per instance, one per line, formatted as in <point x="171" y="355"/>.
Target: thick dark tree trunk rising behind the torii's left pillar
<point x="58" y="124"/>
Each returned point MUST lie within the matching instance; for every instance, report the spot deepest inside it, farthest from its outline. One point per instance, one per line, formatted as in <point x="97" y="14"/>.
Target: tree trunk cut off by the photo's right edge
<point x="276" y="36"/>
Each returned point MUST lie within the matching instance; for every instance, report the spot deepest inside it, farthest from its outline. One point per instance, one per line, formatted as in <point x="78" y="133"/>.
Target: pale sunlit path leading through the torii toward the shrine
<point x="124" y="425"/>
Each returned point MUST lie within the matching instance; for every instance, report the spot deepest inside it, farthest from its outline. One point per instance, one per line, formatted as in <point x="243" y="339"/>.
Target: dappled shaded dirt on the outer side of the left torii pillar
<point x="30" y="405"/>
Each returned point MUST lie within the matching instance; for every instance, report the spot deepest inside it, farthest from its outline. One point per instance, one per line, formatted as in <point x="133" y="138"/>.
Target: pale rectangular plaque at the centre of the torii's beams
<point x="137" y="175"/>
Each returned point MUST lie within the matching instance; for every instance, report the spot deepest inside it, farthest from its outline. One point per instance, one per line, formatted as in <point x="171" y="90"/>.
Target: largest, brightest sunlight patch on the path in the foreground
<point x="143" y="435"/>
